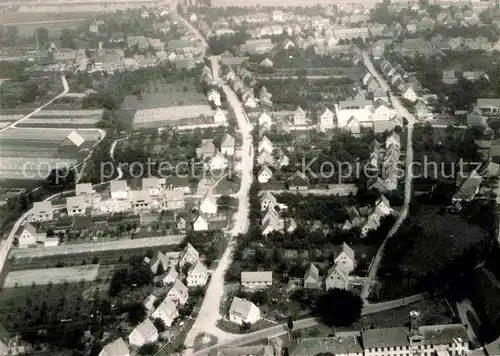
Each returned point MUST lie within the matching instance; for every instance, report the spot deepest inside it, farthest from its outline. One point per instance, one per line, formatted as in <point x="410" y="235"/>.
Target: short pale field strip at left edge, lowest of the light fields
<point x="45" y="276"/>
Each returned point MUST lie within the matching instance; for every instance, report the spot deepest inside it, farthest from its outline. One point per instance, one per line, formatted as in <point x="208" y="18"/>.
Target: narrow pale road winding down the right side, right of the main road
<point x="403" y="112"/>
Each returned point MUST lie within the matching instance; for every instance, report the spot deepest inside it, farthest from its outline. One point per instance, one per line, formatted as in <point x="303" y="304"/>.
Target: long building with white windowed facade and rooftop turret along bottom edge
<point x="443" y="340"/>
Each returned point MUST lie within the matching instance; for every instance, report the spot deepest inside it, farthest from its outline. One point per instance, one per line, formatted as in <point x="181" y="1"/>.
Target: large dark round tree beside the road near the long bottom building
<point x="339" y="307"/>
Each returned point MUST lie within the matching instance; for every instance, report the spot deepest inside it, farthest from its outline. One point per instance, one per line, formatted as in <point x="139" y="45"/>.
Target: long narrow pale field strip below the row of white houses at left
<point x="74" y="249"/>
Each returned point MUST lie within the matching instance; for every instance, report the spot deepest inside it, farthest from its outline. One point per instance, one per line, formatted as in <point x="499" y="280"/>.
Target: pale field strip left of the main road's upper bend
<point x="148" y="117"/>
